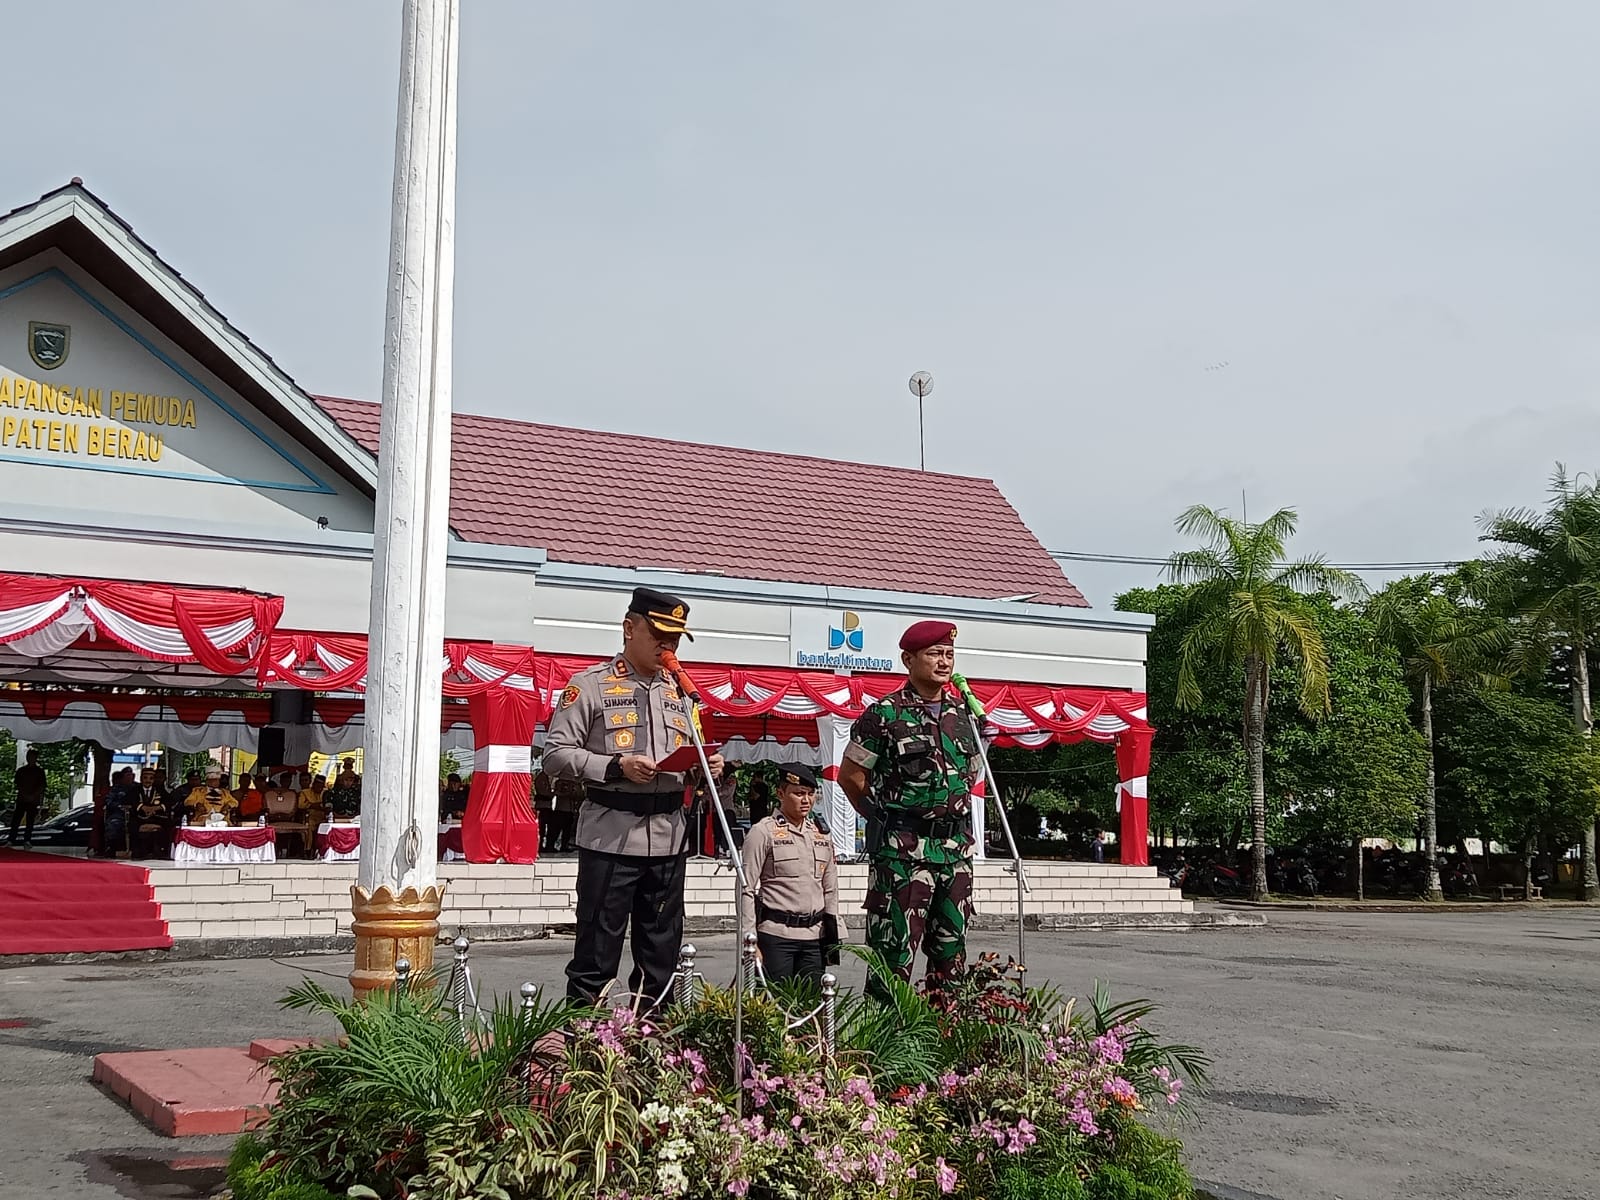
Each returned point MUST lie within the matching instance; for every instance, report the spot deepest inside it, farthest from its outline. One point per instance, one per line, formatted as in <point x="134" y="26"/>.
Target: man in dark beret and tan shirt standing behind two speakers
<point x="791" y="890"/>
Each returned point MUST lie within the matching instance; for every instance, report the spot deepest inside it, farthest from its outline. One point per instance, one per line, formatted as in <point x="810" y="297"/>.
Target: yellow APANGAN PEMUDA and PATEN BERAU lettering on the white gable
<point x="86" y="423"/>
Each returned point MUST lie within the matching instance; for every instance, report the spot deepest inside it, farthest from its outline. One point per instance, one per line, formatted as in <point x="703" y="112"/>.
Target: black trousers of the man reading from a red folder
<point x="617" y="892"/>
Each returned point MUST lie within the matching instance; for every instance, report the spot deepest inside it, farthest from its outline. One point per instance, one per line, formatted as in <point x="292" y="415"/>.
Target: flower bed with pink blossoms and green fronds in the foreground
<point x="993" y="1092"/>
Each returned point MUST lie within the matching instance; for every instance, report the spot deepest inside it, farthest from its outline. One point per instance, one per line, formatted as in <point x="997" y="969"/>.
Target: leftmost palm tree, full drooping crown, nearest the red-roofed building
<point x="1246" y="609"/>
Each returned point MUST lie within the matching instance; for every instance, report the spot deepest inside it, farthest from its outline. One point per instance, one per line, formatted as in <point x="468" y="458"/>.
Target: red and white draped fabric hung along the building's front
<point x="82" y="631"/>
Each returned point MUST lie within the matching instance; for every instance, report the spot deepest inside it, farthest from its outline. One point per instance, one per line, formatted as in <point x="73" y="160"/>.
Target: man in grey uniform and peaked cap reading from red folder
<point x="610" y="729"/>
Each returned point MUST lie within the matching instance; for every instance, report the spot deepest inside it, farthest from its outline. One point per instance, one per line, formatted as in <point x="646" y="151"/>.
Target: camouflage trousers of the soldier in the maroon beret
<point x="918" y="905"/>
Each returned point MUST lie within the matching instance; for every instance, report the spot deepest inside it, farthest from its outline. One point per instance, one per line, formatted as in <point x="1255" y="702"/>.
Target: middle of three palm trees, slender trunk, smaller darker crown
<point x="1438" y="642"/>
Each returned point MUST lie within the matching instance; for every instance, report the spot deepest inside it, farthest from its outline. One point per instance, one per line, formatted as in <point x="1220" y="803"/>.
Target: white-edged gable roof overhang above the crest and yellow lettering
<point x="84" y="228"/>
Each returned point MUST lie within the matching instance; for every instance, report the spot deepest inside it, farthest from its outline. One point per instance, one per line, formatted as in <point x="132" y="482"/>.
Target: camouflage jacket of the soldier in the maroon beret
<point x="922" y="766"/>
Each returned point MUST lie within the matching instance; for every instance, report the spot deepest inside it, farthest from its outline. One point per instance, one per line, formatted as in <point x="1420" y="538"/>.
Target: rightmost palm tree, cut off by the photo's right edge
<point x="1550" y="577"/>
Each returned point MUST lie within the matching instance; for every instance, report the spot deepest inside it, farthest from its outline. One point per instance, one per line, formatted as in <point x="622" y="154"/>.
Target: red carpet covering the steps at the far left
<point x="58" y="905"/>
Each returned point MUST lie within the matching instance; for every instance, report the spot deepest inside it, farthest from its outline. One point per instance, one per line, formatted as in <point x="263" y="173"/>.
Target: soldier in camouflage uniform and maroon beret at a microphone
<point x="916" y="754"/>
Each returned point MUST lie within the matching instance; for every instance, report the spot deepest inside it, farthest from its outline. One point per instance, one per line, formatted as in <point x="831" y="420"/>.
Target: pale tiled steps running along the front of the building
<point x="313" y="900"/>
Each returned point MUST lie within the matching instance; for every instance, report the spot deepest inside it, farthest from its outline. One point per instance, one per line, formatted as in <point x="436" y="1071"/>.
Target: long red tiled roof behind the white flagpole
<point x="599" y="498"/>
